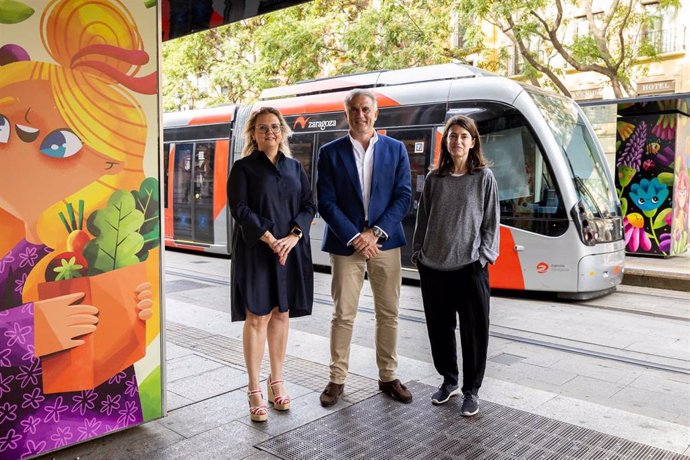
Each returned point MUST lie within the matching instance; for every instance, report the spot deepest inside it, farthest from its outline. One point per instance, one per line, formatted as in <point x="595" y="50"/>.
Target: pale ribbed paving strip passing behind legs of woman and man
<point x="308" y="374"/>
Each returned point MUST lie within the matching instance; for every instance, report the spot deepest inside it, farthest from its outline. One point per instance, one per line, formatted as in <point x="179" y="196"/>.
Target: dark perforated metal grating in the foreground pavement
<point x="379" y="428"/>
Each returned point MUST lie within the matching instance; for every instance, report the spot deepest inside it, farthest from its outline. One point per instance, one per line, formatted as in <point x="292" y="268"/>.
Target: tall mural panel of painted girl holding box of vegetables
<point x="79" y="222"/>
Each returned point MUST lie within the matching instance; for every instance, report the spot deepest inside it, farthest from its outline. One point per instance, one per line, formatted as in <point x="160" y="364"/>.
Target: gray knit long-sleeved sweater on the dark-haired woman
<point x="457" y="221"/>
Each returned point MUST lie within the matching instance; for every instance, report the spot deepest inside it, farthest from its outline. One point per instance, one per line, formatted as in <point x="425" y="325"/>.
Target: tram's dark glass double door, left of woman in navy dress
<point x="192" y="194"/>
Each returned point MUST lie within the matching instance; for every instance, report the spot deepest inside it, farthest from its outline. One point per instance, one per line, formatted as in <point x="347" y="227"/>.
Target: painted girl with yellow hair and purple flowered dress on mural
<point x="72" y="137"/>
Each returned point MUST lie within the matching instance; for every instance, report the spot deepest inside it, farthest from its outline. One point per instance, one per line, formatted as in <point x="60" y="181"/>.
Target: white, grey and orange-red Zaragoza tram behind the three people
<point x="561" y="223"/>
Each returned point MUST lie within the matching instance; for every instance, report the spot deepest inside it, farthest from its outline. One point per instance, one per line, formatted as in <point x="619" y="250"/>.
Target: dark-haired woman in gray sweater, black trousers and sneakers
<point x="455" y="239"/>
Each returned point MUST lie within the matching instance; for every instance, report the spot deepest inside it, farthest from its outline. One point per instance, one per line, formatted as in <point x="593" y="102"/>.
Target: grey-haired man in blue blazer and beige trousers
<point x="364" y="192"/>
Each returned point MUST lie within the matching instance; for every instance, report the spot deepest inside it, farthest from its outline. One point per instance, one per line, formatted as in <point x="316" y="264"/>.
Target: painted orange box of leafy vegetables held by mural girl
<point x="115" y="284"/>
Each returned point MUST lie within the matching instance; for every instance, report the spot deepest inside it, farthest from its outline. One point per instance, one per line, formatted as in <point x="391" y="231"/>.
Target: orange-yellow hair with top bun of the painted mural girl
<point x="88" y="86"/>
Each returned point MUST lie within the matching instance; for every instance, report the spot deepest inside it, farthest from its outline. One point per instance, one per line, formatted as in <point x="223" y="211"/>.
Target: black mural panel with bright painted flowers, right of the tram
<point x="651" y="177"/>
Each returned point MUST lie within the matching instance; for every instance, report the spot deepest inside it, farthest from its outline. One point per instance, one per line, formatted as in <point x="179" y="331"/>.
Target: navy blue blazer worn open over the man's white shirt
<point x="339" y="193"/>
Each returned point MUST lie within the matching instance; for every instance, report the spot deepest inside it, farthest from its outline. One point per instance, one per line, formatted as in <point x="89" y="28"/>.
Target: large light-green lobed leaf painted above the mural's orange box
<point x="117" y="240"/>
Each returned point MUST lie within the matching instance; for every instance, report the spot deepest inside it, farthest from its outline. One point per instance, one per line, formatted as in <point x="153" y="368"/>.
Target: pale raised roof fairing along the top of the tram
<point x="375" y="79"/>
